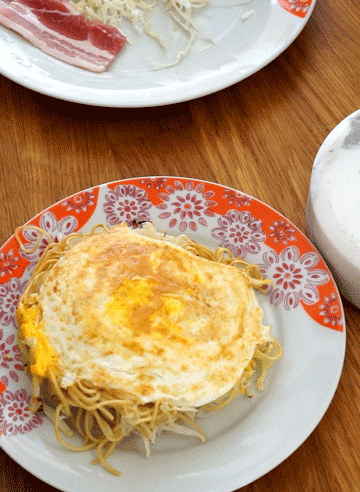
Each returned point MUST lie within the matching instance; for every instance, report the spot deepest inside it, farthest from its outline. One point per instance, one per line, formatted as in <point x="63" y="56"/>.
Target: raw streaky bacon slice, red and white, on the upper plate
<point x="59" y="29"/>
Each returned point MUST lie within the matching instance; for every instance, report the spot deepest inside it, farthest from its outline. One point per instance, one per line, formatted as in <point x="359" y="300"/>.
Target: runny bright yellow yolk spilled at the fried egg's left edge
<point x="44" y="355"/>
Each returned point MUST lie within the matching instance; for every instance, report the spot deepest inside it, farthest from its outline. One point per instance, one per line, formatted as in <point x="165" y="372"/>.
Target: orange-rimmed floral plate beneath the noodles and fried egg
<point x="250" y="436"/>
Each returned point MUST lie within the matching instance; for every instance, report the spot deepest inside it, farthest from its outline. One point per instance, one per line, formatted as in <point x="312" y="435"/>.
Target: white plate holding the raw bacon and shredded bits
<point x="240" y="49"/>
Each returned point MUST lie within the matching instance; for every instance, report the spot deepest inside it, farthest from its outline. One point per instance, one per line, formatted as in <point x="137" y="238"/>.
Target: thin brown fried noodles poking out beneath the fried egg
<point x="102" y="420"/>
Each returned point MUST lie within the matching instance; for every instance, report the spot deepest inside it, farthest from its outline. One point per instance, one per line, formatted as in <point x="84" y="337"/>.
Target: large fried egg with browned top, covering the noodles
<point x="129" y="312"/>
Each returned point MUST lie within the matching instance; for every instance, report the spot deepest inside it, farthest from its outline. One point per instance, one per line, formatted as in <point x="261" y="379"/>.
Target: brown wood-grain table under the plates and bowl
<point x="259" y="136"/>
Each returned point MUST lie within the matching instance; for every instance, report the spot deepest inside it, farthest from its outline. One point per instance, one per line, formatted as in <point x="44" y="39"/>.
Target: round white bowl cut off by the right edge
<point x="333" y="209"/>
